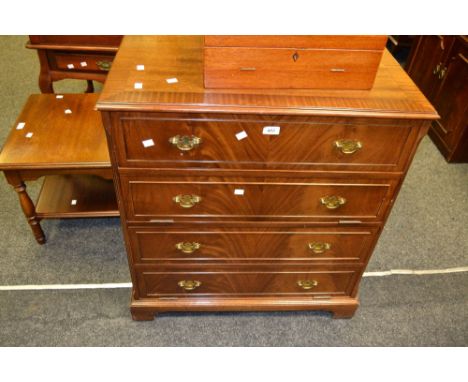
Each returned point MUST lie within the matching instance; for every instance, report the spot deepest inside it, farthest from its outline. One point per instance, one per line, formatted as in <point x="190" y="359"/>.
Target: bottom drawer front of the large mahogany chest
<point x="252" y="282"/>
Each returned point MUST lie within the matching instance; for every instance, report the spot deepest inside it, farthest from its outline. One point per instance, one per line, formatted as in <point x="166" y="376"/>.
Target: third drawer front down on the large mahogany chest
<point x="314" y="244"/>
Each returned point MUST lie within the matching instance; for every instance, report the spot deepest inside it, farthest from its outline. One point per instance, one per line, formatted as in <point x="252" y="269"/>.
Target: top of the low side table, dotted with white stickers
<point x="54" y="138"/>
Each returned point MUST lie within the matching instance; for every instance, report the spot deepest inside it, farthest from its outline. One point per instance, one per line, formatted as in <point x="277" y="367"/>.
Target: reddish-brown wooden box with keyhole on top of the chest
<point x="292" y="62"/>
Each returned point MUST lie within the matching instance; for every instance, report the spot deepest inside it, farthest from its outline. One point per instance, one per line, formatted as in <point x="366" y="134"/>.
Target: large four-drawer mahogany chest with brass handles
<point x="251" y="200"/>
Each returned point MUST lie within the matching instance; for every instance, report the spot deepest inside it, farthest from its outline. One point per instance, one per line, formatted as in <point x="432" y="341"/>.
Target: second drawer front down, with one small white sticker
<point x="151" y="197"/>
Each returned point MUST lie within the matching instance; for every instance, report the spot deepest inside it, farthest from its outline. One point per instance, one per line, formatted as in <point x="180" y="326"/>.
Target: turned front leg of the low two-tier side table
<point x="29" y="210"/>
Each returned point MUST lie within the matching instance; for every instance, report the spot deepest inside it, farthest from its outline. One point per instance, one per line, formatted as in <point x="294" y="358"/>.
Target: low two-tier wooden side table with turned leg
<point x="67" y="148"/>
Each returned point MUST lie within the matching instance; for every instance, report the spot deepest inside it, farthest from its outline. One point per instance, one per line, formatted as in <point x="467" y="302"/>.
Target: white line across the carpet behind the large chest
<point x="129" y="285"/>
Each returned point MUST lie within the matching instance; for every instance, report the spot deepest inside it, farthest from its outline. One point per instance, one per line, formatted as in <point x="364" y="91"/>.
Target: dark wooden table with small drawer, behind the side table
<point x="57" y="52"/>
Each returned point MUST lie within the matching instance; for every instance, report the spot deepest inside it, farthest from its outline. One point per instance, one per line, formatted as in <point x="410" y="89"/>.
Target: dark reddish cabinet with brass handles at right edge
<point x="439" y="66"/>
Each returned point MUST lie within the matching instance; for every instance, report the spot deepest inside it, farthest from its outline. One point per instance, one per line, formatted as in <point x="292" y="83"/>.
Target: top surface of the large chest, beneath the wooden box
<point x="166" y="58"/>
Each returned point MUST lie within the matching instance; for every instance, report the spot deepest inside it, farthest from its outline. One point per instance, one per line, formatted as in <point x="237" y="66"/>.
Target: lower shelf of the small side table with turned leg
<point x="76" y="196"/>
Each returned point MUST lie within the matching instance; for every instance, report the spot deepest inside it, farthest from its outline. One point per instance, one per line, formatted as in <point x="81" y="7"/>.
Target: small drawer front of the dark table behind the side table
<point x="81" y="62"/>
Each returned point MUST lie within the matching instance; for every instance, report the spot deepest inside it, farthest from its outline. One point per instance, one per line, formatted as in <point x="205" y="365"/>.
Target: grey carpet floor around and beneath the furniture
<point x="427" y="229"/>
